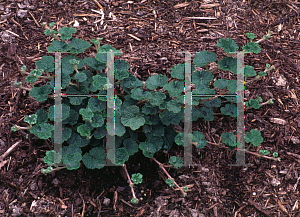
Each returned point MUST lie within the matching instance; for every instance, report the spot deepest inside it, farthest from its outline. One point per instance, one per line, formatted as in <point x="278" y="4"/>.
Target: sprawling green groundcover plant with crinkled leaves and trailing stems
<point x="151" y="106"/>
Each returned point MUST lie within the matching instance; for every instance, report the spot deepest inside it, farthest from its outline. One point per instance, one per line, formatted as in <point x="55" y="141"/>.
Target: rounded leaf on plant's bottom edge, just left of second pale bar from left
<point x="95" y="158"/>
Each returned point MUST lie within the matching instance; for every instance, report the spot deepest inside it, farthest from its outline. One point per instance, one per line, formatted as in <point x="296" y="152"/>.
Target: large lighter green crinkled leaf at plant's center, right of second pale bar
<point x="132" y="118"/>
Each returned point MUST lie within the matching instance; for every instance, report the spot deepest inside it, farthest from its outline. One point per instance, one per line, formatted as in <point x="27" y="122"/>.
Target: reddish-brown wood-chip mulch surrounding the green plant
<point x="159" y="29"/>
